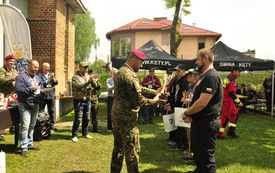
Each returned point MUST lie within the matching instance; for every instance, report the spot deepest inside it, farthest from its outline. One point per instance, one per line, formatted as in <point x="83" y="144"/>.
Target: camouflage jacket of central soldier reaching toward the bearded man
<point x="129" y="95"/>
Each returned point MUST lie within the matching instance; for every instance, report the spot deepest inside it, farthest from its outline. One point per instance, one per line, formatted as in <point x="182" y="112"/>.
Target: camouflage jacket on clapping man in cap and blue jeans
<point x="81" y="86"/>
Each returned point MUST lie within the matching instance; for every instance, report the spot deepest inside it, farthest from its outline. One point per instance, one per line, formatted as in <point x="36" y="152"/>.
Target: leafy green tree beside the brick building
<point x="85" y="36"/>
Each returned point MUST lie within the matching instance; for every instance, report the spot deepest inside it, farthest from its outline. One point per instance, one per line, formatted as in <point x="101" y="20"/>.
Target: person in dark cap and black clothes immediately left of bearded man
<point x="180" y="90"/>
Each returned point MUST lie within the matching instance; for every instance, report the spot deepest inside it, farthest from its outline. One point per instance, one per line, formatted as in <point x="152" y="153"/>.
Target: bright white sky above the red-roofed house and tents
<point x="246" y="24"/>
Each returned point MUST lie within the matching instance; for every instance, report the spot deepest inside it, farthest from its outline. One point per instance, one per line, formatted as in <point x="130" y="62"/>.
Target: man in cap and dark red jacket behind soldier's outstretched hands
<point x="152" y="82"/>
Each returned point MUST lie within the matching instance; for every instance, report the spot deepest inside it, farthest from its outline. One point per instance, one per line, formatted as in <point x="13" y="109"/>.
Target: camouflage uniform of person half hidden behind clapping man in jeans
<point x="94" y="104"/>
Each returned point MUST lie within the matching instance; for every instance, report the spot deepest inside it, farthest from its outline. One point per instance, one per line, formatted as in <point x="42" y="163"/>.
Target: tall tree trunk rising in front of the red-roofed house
<point x="175" y="37"/>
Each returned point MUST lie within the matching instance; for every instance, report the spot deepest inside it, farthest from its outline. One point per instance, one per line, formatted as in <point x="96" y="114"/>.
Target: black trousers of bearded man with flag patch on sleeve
<point x="203" y="140"/>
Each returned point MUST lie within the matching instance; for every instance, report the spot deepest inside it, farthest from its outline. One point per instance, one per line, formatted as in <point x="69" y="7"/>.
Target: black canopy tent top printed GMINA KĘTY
<point x="226" y="58"/>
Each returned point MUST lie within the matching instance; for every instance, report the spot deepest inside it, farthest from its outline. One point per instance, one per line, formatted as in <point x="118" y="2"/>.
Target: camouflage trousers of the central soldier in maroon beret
<point x="126" y="141"/>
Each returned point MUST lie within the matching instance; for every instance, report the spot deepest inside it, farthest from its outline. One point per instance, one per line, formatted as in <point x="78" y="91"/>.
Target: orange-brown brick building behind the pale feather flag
<point x="52" y="27"/>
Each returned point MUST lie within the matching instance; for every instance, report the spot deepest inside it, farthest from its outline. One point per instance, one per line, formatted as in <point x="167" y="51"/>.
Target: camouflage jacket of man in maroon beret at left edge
<point x="6" y="81"/>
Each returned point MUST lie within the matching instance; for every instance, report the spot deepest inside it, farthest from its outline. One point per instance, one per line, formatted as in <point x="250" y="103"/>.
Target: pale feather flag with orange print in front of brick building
<point x="17" y="36"/>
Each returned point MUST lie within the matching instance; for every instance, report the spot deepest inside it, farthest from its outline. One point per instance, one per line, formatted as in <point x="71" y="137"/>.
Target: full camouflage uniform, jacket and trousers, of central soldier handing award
<point x="129" y="95"/>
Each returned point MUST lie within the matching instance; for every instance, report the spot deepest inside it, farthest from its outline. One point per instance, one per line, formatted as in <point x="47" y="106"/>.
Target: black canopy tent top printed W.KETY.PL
<point x="156" y="57"/>
